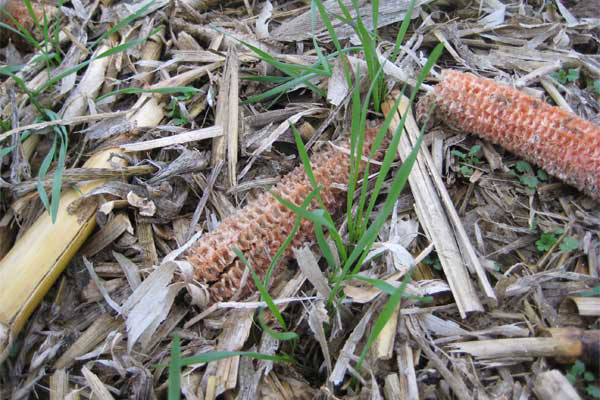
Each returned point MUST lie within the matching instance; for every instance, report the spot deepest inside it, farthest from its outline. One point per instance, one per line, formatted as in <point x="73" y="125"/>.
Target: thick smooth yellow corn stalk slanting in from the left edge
<point x="26" y="275"/>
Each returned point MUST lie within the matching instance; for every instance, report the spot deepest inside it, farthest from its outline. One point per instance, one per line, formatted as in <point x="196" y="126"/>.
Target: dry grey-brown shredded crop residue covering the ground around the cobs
<point x="183" y="161"/>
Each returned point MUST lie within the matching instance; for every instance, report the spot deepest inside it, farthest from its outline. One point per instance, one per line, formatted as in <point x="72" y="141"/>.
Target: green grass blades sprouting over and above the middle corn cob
<point x="364" y="224"/>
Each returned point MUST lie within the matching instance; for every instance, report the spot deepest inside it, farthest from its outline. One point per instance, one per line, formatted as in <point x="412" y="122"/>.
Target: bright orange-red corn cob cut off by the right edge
<point x="563" y="144"/>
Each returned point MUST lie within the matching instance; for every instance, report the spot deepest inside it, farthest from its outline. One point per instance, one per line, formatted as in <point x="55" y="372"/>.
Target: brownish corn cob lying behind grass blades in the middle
<point x="260" y="228"/>
